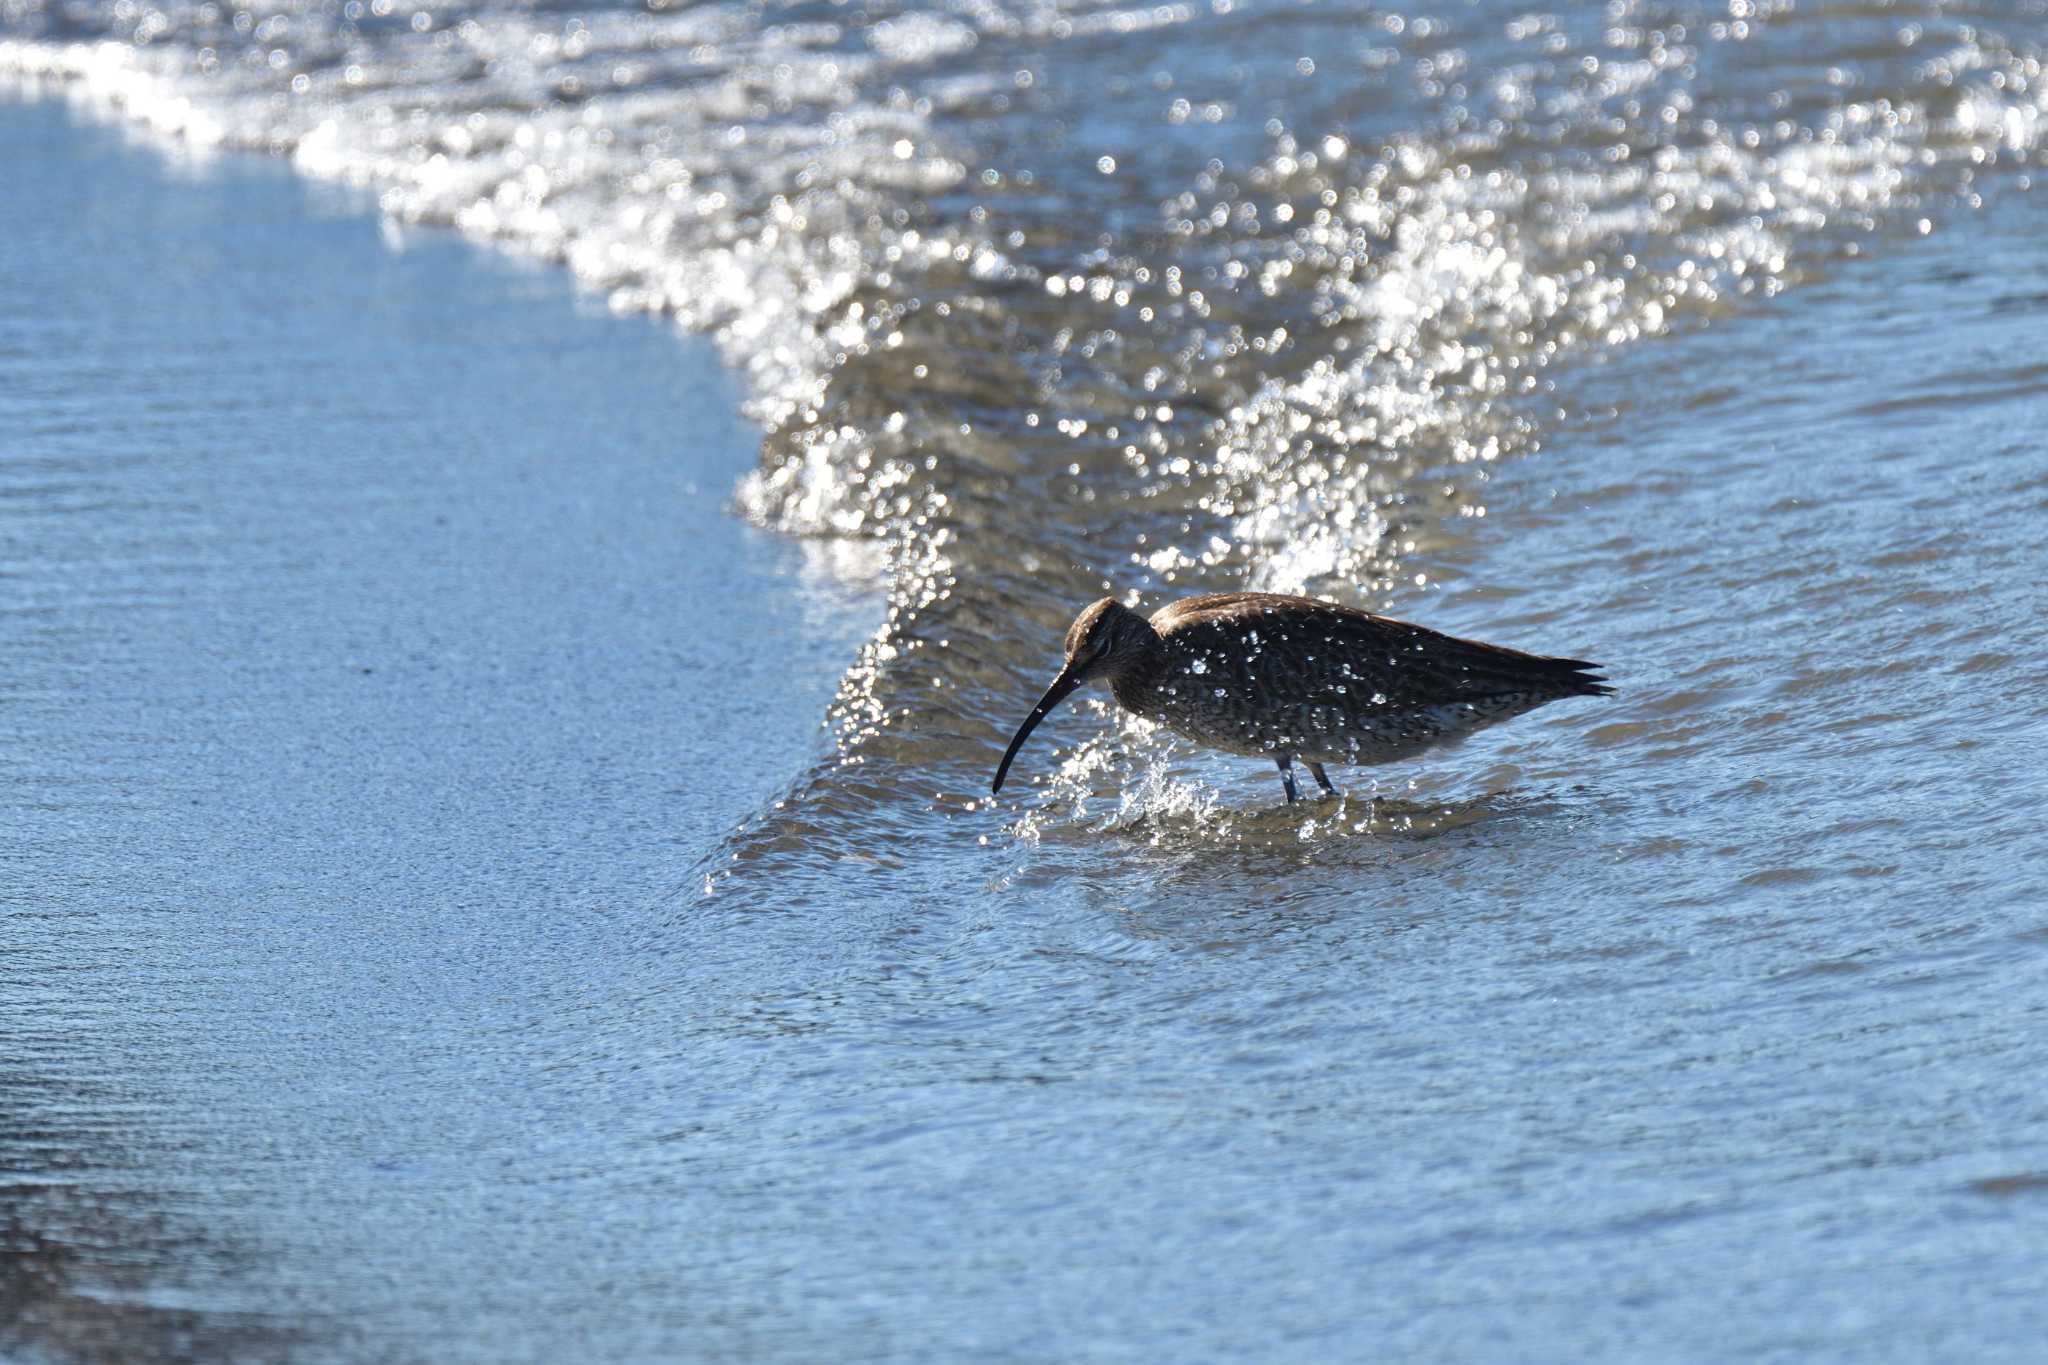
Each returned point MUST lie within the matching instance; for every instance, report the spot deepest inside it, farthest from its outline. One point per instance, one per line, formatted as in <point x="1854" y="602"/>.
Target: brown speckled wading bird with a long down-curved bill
<point x="1295" y="678"/>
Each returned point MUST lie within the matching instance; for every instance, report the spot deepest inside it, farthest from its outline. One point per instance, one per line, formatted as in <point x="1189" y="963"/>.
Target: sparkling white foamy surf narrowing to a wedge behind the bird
<point x="953" y="294"/>
